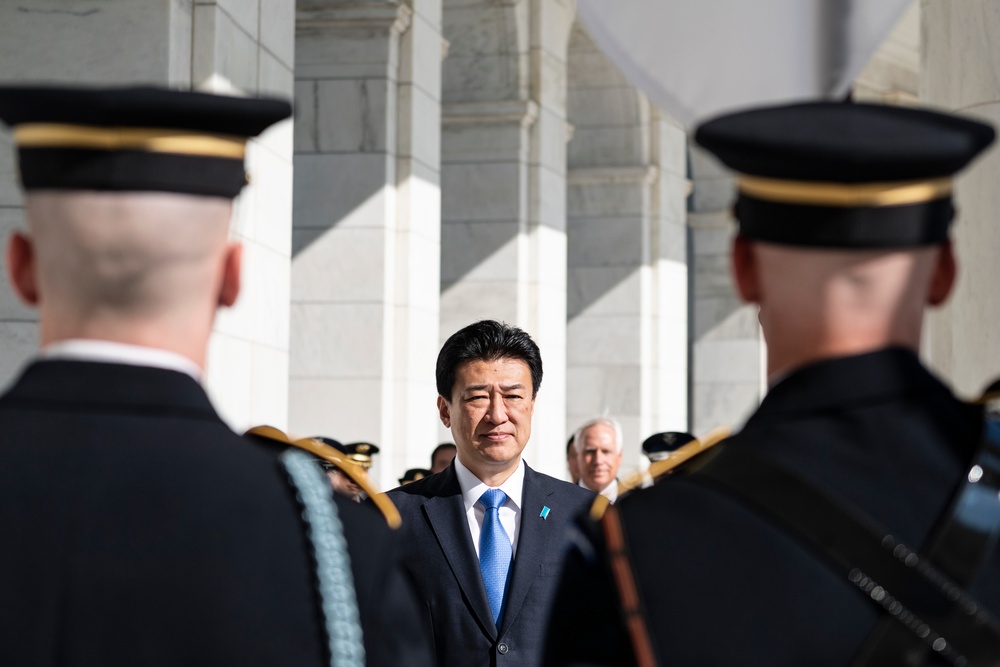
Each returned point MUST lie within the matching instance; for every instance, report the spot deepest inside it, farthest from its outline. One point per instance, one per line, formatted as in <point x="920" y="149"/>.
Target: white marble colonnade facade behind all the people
<point x="451" y="160"/>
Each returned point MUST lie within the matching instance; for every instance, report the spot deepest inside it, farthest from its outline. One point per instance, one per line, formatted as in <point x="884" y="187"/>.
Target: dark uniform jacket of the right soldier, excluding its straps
<point x="724" y="586"/>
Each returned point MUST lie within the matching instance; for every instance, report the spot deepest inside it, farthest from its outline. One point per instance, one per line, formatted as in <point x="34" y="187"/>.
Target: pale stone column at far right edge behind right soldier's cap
<point x="959" y="52"/>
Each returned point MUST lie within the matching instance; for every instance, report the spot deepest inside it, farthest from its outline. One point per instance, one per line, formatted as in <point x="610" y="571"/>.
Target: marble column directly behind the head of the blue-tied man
<point x="503" y="163"/>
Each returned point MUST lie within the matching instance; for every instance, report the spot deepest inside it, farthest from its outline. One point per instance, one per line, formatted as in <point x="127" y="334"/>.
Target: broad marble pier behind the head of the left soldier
<point x="227" y="47"/>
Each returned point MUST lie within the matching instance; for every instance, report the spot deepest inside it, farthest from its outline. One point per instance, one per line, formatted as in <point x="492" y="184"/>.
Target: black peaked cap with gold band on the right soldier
<point x="842" y="175"/>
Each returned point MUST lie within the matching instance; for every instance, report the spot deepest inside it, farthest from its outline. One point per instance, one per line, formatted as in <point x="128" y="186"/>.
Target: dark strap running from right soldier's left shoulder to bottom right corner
<point x="918" y="596"/>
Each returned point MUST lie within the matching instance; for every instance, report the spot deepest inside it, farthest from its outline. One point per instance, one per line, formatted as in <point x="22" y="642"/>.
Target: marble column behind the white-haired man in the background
<point x="627" y="275"/>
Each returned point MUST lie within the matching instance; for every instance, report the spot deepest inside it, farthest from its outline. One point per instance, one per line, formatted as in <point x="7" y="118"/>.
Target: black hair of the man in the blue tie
<point x="486" y="340"/>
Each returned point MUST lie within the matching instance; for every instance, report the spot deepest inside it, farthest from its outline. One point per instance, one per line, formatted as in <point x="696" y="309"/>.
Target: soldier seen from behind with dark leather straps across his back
<point x="824" y="532"/>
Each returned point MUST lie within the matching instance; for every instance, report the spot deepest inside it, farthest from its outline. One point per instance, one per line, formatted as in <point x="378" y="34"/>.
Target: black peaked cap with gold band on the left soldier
<point x="134" y="139"/>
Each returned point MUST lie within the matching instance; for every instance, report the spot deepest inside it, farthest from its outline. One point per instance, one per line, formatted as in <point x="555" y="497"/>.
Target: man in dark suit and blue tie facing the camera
<point x="486" y="536"/>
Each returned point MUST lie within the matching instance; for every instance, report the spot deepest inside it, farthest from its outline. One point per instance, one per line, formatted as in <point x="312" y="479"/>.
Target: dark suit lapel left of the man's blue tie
<point x="446" y="514"/>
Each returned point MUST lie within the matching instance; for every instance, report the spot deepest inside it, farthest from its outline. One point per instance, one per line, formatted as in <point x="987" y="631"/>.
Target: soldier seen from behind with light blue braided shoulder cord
<point x="139" y="529"/>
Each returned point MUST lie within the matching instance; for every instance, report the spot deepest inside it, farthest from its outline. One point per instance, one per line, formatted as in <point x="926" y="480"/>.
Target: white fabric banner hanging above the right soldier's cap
<point x="699" y="58"/>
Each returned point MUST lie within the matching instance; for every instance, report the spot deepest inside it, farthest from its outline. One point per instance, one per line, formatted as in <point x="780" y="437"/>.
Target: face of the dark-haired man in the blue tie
<point x="489" y="413"/>
